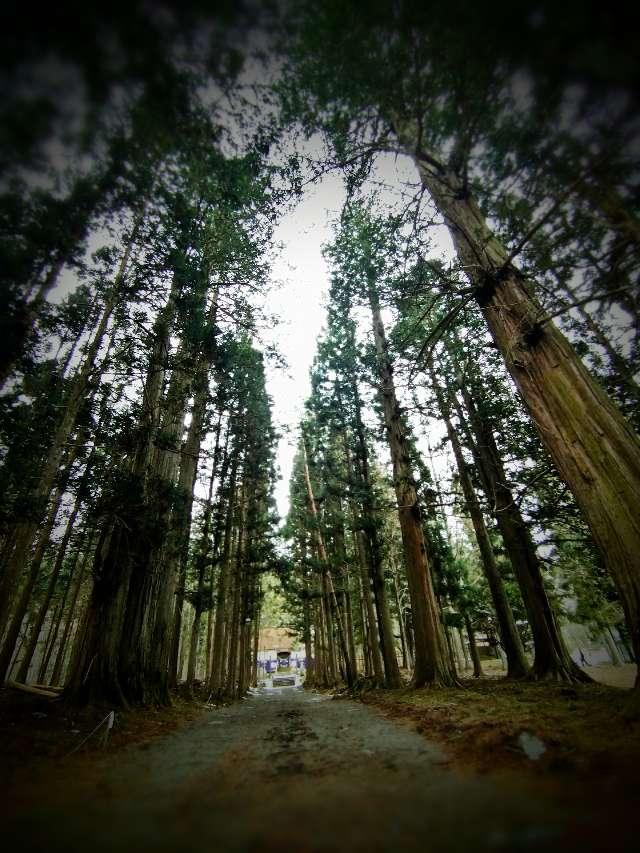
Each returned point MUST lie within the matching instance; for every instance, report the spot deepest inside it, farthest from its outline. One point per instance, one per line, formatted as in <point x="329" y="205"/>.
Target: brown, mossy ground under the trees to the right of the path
<point x="581" y="733"/>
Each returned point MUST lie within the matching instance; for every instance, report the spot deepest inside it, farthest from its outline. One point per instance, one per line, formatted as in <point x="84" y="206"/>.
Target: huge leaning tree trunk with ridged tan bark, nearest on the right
<point x="593" y="447"/>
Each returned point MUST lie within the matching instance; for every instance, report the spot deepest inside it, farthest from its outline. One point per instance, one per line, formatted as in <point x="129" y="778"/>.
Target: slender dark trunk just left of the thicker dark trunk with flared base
<point x="517" y="666"/>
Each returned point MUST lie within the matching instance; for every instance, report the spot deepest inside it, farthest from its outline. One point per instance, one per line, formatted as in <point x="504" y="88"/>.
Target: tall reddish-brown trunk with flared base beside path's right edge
<point x="430" y="653"/>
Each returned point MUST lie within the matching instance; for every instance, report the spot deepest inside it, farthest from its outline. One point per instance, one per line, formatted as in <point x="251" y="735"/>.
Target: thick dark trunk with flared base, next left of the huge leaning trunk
<point x="551" y="657"/>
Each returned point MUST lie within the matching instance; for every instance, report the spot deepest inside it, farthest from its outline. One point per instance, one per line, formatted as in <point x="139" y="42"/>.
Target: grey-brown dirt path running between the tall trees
<point x="292" y="772"/>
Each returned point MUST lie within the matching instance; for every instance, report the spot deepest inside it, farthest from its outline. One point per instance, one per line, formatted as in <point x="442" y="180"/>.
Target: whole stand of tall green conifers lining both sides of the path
<point x="467" y="462"/>
